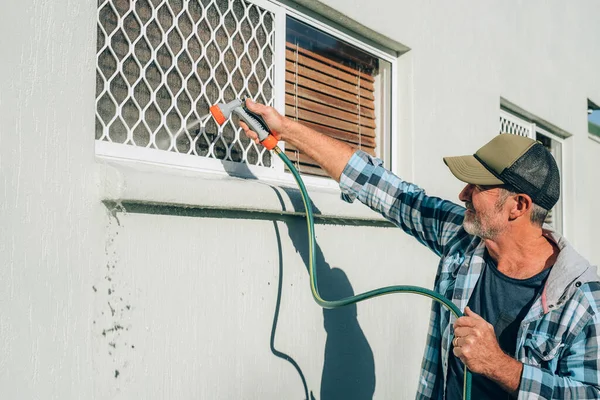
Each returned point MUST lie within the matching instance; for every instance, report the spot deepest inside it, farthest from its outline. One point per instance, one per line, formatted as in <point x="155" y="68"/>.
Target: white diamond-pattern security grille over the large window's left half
<point x="161" y="64"/>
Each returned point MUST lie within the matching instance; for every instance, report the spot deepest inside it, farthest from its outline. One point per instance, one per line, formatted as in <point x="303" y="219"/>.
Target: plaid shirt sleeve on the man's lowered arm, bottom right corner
<point x="578" y="372"/>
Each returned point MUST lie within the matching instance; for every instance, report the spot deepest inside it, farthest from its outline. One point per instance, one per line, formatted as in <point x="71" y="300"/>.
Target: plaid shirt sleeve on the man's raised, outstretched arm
<point x="431" y="220"/>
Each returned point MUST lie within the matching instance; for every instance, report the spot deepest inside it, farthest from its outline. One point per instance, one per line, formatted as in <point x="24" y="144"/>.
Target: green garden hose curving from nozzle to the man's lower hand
<point x="367" y="295"/>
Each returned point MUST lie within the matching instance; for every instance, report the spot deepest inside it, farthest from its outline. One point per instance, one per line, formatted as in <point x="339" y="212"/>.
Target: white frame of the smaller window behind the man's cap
<point x="531" y="128"/>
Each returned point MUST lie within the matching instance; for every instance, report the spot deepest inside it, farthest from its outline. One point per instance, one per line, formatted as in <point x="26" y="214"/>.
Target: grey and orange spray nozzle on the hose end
<point x="221" y="112"/>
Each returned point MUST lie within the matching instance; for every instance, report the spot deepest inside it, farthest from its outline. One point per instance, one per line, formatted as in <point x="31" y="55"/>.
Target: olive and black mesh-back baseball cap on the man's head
<point x="520" y="162"/>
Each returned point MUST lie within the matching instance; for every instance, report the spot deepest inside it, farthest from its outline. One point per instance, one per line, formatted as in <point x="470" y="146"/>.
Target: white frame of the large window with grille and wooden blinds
<point x="276" y="173"/>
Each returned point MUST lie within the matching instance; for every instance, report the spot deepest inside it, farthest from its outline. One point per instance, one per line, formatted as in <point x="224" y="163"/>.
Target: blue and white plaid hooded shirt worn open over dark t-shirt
<point x="558" y="340"/>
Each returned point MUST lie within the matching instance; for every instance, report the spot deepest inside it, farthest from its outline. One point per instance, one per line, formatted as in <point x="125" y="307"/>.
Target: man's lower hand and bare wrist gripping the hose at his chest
<point x="475" y="344"/>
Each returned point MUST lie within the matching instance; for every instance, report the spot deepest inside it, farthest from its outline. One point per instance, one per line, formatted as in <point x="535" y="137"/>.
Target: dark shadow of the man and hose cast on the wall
<point x="349" y="366"/>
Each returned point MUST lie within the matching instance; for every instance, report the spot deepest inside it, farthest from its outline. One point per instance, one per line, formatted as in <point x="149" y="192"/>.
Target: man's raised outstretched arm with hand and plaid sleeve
<point x="431" y="220"/>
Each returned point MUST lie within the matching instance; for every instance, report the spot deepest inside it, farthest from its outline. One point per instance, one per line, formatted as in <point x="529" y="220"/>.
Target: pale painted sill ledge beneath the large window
<point x="126" y="182"/>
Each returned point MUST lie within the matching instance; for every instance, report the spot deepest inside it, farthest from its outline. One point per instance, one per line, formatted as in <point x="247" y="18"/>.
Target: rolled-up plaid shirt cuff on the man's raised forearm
<point x="356" y="173"/>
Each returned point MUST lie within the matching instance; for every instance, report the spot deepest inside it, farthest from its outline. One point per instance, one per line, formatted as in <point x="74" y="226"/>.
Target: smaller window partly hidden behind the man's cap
<point x="518" y="124"/>
